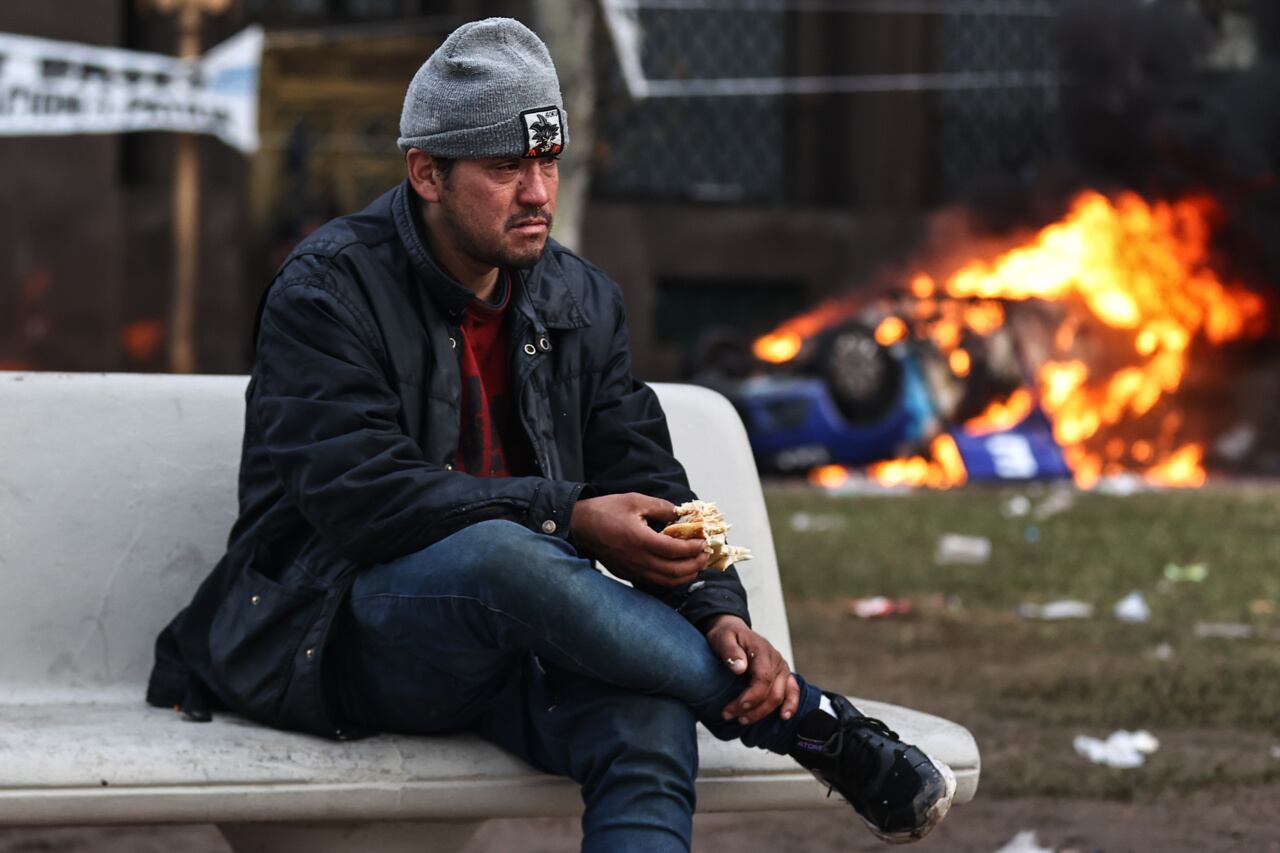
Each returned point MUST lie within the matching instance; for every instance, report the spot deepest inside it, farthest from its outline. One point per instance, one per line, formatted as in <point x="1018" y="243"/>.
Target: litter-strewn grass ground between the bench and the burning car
<point x="1026" y="688"/>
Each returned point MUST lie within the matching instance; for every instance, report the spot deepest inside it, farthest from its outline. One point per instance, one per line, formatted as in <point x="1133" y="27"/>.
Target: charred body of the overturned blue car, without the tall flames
<point x="865" y="393"/>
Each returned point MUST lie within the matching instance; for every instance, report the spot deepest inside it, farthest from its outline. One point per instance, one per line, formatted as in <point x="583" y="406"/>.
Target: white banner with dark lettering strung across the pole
<point x="61" y="88"/>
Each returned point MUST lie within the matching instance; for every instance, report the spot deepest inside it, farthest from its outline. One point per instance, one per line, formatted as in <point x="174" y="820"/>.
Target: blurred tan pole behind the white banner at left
<point x="186" y="221"/>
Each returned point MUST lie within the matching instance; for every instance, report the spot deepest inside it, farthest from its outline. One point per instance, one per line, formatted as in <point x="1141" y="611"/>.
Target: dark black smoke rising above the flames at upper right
<point x="1167" y="98"/>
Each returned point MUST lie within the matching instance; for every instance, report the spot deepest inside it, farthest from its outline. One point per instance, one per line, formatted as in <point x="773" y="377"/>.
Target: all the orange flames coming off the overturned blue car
<point x="1136" y="290"/>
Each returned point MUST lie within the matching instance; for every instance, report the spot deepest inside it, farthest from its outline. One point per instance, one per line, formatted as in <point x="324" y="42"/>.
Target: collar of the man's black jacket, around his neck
<point x="551" y="302"/>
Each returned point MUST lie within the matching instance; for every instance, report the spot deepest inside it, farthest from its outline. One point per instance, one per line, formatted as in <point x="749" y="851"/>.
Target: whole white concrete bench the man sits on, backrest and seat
<point x="117" y="494"/>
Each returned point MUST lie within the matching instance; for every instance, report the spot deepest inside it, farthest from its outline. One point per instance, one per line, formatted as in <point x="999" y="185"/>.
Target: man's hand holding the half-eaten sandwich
<point x="614" y="531"/>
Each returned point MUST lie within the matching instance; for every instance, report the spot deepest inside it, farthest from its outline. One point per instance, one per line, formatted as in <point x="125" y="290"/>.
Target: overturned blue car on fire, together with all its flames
<point x="1060" y="357"/>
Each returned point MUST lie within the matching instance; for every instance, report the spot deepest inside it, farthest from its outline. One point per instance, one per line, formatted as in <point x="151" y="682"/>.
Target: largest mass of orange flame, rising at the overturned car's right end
<point x="1137" y="268"/>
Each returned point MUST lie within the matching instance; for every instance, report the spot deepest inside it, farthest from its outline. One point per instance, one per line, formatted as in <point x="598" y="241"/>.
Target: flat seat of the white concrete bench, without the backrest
<point x="129" y="764"/>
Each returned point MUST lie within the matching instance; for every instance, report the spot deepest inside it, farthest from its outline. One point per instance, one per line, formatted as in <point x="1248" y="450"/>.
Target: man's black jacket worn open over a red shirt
<point x="353" y="417"/>
